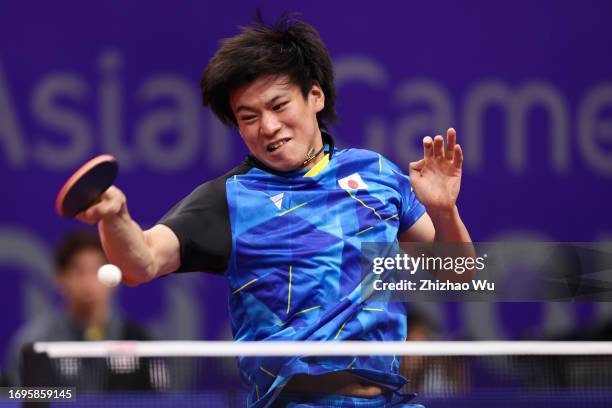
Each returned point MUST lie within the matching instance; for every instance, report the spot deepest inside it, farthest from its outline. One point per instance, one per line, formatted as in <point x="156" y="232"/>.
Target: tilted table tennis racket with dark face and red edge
<point x="86" y="185"/>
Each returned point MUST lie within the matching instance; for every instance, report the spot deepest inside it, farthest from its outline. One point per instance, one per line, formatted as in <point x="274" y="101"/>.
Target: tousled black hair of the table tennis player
<point x="290" y="47"/>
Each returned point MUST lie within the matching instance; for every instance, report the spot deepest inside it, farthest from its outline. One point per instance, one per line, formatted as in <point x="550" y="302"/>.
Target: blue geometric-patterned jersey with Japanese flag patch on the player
<point x="295" y="271"/>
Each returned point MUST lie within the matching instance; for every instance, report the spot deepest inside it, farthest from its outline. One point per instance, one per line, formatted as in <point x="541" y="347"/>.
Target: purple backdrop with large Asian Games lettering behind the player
<point x="528" y="86"/>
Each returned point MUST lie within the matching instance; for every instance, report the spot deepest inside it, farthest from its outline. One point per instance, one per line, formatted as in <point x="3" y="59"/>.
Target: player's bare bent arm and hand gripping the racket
<point x="141" y="255"/>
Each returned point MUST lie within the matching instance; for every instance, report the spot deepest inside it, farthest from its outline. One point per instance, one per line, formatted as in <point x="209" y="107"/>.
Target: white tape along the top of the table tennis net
<point x="345" y="348"/>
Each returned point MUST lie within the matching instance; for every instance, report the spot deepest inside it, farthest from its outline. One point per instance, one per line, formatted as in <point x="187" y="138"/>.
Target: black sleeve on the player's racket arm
<point x="201" y="223"/>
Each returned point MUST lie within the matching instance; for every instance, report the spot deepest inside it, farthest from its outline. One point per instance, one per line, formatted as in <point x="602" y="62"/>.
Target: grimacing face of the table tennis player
<point x="278" y="125"/>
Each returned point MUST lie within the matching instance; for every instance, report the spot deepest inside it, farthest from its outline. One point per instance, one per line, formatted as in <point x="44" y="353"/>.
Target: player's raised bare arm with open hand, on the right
<point x="436" y="181"/>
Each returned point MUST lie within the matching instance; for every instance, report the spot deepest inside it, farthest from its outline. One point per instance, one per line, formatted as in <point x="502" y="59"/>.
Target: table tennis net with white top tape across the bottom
<point x="443" y="374"/>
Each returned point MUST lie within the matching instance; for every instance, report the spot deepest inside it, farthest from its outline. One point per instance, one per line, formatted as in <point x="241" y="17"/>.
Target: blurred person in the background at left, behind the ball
<point x="87" y="315"/>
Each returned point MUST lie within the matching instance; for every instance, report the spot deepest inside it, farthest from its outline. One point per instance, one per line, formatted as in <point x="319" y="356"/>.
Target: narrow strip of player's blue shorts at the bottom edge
<point x="313" y="400"/>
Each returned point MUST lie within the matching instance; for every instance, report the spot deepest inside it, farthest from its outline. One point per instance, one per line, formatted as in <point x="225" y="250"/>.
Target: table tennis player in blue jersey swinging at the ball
<point x="286" y="226"/>
